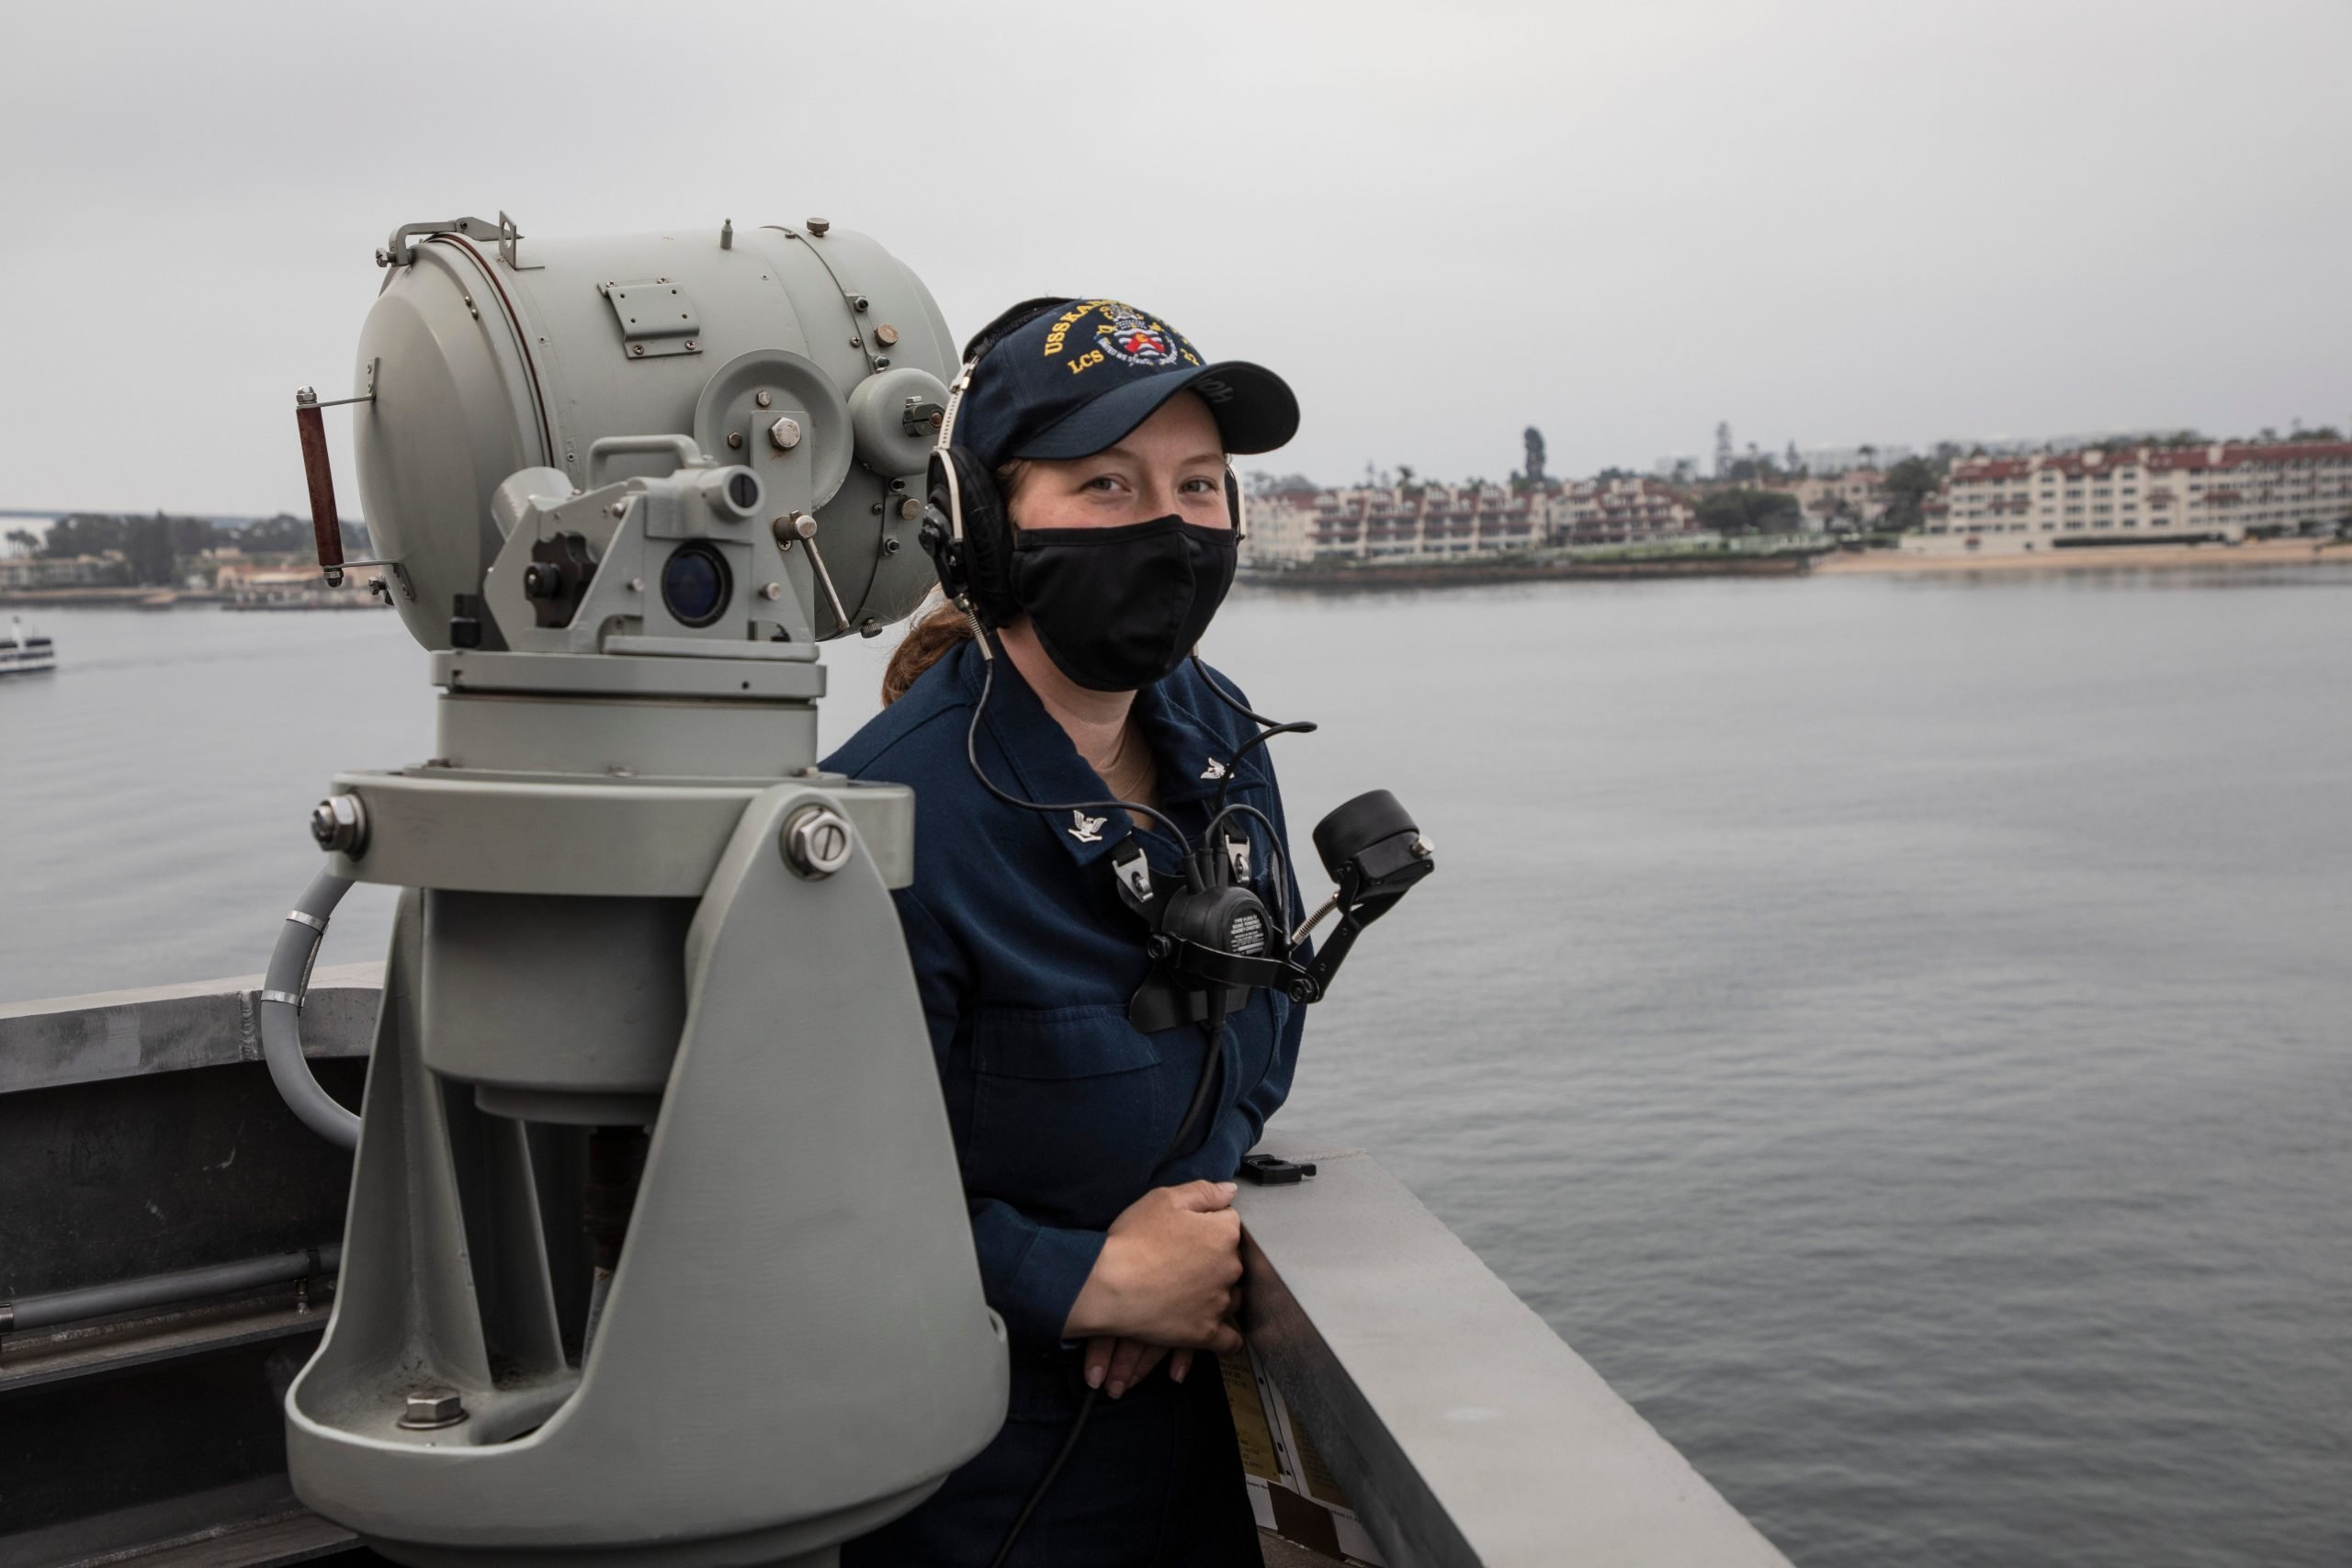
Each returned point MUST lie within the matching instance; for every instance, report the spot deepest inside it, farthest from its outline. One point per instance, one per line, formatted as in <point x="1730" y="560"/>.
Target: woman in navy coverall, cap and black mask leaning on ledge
<point x="1107" y="1242"/>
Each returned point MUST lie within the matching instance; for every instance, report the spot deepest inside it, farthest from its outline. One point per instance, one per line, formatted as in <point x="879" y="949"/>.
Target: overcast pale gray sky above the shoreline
<point x="1822" y="222"/>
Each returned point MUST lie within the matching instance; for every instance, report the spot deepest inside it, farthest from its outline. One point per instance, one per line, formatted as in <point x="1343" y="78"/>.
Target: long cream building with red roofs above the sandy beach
<point x="2153" y="495"/>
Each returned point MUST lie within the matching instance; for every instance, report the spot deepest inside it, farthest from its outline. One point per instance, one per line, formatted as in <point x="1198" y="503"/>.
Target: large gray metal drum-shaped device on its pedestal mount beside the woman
<point x="648" y="984"/>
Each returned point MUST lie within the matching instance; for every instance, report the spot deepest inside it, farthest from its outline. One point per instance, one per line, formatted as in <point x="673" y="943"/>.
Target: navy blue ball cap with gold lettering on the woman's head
<point x="1062" y="380"/>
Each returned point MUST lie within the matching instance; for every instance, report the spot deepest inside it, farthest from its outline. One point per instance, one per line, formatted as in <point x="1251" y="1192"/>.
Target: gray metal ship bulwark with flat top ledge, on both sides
<point x="1412" y="1409"/>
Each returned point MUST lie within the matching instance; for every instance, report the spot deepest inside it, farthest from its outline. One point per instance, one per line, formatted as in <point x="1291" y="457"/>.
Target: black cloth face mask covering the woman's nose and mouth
<point x="1121" y="608"/>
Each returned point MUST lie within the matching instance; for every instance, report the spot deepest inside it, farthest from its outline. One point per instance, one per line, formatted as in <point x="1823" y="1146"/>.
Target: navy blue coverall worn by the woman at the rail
<point x="1027" y="963"/>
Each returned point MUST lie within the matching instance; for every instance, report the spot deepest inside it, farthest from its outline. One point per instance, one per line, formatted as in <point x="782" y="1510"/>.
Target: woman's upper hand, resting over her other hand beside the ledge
<point x="1168" y="1273"/>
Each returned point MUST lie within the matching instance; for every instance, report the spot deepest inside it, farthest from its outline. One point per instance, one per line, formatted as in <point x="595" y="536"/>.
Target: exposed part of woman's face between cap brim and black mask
<point x="1172" y="464"/>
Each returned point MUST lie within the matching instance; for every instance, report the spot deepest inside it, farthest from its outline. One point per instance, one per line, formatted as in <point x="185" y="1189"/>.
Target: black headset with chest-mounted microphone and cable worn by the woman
<point x="1210" y="937"/>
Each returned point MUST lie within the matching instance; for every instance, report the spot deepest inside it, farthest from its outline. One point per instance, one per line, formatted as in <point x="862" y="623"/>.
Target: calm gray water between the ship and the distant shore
<point x="1897" y="1031"/>
